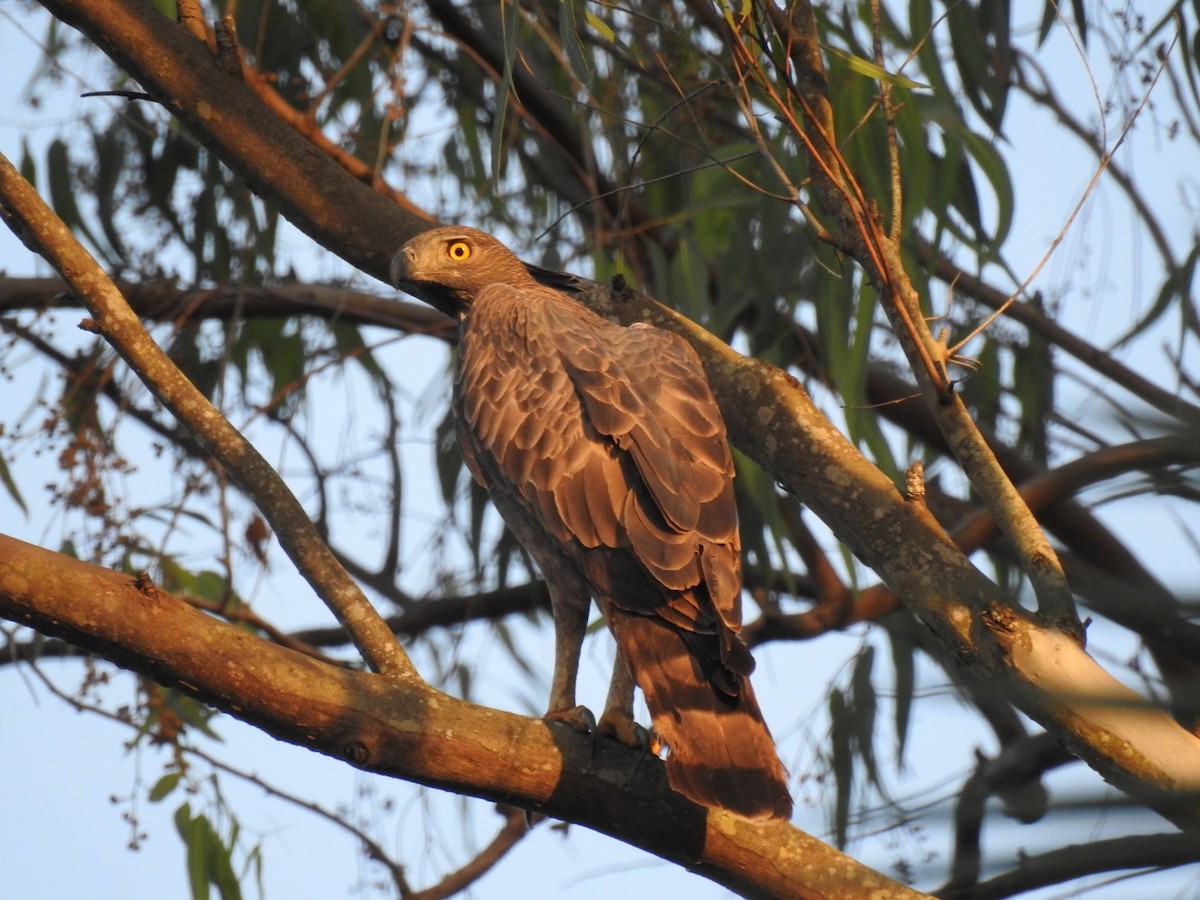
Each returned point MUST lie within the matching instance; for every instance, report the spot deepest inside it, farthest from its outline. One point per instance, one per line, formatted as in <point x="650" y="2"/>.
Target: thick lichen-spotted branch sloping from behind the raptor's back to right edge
<point x="1040" y="669"/>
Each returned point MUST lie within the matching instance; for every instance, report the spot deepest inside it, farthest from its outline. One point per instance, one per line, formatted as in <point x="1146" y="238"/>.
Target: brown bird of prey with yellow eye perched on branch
<point x="605" y="453"/>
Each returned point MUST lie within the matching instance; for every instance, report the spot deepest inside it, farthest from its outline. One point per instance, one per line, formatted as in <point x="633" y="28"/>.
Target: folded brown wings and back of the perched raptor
<point x="615" y="440"/>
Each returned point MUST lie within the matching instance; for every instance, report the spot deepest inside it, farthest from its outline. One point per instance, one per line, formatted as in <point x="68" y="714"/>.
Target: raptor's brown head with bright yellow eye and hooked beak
<point x="454" y="265"/>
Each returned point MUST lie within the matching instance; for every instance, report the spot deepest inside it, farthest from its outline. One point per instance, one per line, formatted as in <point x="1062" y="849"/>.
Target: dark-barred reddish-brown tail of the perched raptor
<point x="722" y="753"/>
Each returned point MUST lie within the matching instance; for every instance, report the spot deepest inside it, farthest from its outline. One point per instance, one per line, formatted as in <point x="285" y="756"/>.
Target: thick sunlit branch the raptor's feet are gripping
<point x="405" y="729"/>
